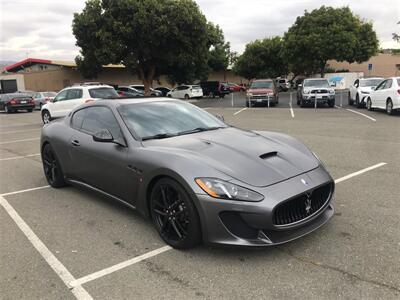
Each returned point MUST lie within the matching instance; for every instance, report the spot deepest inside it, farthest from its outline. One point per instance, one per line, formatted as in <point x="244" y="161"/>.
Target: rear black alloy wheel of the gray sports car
<point x="52" y="169"/>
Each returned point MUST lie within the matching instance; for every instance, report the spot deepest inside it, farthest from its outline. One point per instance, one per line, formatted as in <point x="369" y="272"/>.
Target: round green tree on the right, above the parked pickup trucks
<point x="328" y="33"/>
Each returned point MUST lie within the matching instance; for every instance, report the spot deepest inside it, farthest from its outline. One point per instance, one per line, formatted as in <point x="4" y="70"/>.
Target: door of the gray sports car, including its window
<point x="101" y="165"/>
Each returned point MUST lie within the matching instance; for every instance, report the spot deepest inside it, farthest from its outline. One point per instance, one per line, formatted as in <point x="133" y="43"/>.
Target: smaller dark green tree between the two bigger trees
<point x="262" y="59"/>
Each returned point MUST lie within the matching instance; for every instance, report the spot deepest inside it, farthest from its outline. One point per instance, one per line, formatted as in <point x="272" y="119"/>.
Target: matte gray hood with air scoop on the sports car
<point x="258" y="159"/>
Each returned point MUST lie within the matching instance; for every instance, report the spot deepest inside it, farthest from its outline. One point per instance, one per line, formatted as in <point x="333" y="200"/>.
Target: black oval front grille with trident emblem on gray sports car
<point x="303" y="205"/>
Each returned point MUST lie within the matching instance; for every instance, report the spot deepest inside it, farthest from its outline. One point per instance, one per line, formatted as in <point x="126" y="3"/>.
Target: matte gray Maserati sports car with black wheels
<point x="196" y="177"/>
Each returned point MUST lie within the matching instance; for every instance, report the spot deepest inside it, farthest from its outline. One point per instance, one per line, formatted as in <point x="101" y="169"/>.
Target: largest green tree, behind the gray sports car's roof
<point x="149" y="37"/>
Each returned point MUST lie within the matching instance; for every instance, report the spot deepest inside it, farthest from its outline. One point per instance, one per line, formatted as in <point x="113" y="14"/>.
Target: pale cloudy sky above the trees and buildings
<point x="42" y="28"/>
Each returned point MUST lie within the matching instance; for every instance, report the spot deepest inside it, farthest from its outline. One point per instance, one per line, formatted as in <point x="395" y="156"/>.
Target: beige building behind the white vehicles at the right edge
<point x="384" y="64"/>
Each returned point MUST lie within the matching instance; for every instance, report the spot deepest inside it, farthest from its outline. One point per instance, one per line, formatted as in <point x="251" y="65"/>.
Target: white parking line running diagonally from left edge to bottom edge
<point x="79" y="292"/>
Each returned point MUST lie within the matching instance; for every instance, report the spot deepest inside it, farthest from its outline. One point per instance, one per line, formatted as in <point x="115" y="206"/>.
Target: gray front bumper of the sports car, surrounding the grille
<point x="242" y="223"/>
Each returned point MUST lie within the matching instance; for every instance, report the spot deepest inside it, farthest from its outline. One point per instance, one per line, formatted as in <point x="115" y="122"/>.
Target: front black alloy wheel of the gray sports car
<point x="174" y="215"/>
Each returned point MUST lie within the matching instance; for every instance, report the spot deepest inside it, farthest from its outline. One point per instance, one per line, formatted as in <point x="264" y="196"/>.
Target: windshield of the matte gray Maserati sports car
<point x="167" y="118"/>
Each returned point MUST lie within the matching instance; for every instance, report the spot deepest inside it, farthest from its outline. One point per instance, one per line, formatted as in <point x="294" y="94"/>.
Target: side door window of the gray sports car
<point x="98" y="118"/>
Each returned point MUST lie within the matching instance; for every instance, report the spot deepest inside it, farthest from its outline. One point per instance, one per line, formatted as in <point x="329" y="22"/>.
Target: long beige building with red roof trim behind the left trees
<point x="51" y="75"/>
